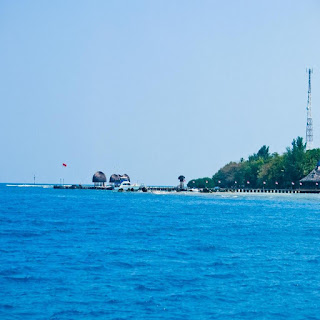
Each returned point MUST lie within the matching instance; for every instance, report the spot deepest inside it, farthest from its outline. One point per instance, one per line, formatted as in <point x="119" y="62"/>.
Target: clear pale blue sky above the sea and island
<point x="153" y="89"/>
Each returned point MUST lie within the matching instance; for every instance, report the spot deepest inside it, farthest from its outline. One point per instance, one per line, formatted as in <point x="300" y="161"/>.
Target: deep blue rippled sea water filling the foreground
<point x="87" y="254"/>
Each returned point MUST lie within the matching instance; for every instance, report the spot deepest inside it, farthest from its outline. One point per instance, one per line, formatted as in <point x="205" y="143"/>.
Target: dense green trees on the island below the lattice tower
<point x="263" y="169"/>
